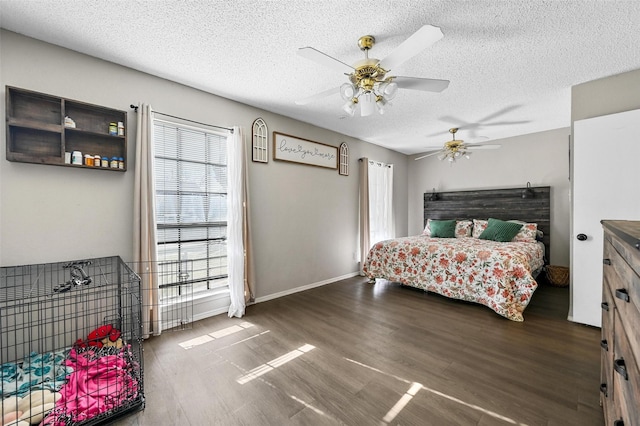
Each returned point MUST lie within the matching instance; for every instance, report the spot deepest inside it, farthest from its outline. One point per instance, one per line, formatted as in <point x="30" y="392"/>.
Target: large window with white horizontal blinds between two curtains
<point x="191" y="206"/>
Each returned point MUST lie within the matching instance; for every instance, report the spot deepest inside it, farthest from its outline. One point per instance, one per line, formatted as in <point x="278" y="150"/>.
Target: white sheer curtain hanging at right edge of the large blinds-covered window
<point x="235" y="210"/>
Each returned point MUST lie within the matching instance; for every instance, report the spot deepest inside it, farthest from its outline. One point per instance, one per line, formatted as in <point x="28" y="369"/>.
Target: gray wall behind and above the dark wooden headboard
<point x="540" y="158"/>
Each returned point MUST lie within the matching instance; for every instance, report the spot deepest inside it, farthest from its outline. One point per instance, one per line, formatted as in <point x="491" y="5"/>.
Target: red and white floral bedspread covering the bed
<point x="497" y="275"/>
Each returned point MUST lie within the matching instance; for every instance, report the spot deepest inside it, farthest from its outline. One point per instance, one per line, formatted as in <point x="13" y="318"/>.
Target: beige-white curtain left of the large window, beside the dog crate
<point x="145" y="256"/>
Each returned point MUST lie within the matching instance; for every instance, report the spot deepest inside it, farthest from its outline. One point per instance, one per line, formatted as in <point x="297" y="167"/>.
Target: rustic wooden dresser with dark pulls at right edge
<point x="620" y="373"/>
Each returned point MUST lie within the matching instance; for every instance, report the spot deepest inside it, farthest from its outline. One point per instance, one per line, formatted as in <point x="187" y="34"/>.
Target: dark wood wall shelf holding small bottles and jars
<point x="36" y="131"/>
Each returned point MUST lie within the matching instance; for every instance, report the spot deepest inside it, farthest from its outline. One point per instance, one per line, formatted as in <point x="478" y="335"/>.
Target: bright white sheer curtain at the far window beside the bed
<point x="380" y="202"/>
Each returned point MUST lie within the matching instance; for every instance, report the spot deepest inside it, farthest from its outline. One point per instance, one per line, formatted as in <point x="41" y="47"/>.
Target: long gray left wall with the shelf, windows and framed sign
<point x="304" y="219"/>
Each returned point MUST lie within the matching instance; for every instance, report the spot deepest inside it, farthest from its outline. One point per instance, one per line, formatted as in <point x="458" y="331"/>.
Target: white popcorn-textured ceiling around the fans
<point x="511" y="63"/>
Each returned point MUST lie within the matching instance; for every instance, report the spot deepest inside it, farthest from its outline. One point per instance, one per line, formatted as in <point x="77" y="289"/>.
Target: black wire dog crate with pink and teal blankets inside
<point x="70" y="342"/>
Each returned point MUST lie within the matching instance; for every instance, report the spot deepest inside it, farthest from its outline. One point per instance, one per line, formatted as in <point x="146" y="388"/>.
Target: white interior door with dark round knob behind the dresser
<point x="606" y="152"/>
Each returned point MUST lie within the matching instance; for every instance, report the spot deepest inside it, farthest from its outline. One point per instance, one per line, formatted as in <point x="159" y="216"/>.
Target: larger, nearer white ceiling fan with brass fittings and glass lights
<point x="369" y="86"/>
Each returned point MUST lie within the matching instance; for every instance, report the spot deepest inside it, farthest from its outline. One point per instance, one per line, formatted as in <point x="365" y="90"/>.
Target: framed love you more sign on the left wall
<point x="297" y="150"/>
